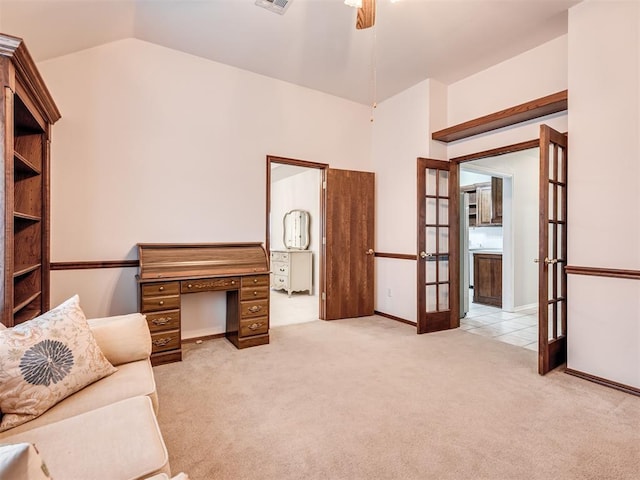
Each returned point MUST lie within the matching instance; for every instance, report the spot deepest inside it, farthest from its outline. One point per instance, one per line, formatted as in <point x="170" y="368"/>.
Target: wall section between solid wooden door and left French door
<point x="400" y="136"/>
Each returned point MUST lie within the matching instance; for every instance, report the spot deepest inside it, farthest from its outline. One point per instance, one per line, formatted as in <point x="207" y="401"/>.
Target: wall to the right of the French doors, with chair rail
<point x="604" y="188"/>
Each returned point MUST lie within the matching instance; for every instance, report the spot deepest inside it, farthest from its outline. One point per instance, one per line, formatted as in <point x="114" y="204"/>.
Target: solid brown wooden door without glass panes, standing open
<point x="349" y="242"/>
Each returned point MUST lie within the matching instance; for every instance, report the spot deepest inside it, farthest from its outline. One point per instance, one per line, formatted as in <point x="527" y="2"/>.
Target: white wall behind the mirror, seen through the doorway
<point x="300" y="192"/>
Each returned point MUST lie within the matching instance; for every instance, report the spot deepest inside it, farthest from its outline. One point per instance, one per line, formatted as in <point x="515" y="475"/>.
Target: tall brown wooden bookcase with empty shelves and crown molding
<point x="27" y="114"/>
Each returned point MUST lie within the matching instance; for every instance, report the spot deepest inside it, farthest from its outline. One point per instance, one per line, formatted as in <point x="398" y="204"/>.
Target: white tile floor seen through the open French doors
<point x="518" y="328"/>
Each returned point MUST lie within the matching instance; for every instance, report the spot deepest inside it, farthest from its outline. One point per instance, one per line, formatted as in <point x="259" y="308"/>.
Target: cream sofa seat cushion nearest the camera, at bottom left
<point x="120" y="441"/>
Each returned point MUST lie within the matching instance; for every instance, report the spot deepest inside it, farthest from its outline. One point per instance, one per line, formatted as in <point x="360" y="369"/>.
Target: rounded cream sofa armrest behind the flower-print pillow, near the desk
<point x="122" y="338"/>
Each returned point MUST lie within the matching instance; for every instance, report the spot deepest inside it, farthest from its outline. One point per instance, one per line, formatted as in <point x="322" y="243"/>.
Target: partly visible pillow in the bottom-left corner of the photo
<point x="22" y="461"/>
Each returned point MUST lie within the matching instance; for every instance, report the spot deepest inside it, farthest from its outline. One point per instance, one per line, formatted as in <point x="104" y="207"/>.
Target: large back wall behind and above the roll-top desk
<point x="155" y="145"/>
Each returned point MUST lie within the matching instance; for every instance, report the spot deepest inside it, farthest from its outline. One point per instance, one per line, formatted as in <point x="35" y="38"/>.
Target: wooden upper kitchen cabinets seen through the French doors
<point x="485" y="203"/>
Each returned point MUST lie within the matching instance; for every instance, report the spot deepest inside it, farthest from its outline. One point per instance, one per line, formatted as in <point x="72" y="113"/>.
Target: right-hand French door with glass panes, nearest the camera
<point x="552" y="257"/>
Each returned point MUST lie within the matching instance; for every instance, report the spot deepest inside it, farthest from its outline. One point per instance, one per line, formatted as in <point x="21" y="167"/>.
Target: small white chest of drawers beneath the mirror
<point x="291" y="270"/>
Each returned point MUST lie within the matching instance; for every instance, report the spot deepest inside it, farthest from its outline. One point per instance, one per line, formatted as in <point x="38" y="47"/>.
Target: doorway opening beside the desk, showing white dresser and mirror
<point x="294" y="239"/>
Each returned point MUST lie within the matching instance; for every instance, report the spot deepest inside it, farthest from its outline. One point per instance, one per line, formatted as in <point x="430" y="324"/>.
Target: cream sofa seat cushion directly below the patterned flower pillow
<point x="131" y="380"/>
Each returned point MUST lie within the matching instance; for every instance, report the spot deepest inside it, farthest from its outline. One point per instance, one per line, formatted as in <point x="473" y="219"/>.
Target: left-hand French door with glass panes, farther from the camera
<point x="438" y="246"/>
